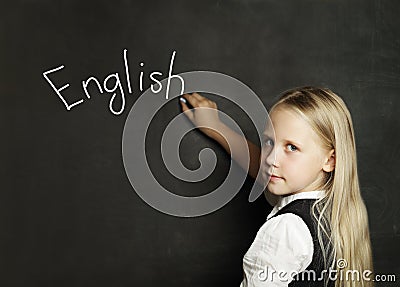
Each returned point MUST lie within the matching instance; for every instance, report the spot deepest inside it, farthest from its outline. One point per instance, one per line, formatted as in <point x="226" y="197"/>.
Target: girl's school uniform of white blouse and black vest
<point x="286" y="245"/>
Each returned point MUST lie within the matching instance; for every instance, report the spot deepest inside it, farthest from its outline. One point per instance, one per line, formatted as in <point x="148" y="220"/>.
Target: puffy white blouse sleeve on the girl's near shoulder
<point x="283" y="247"/>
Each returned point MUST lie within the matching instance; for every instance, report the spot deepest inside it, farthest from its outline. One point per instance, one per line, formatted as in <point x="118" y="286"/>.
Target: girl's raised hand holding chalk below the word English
<point x="202" y="118"/>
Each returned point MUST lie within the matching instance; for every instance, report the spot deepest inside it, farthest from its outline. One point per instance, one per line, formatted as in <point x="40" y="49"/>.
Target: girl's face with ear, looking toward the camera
<point x="294" y="161"/>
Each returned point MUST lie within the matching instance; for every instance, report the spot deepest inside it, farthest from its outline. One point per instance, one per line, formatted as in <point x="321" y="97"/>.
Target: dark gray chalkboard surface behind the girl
<point x="68" y="213"/>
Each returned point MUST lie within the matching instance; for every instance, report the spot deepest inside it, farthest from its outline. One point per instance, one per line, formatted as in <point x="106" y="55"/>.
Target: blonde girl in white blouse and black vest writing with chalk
<point x="317" y="233"/>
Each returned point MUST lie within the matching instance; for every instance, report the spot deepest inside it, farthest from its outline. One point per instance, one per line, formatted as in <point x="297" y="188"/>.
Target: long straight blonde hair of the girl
<point x="341" y="213"/>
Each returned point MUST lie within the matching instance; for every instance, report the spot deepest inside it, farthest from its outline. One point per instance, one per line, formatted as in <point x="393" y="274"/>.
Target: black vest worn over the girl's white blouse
<point x="302" y="208"/>
